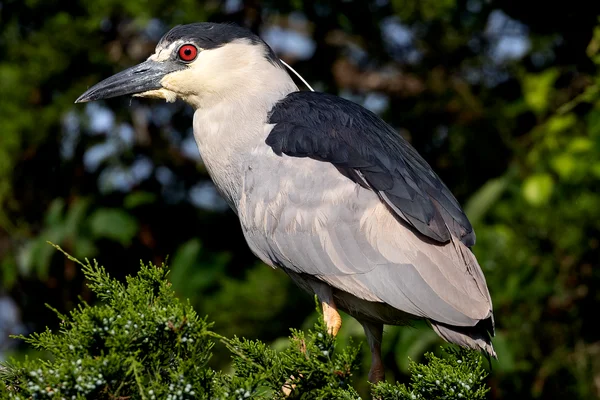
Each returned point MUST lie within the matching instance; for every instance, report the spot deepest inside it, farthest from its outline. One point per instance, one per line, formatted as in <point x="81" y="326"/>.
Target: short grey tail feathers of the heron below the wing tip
<point x="476" y="337"/>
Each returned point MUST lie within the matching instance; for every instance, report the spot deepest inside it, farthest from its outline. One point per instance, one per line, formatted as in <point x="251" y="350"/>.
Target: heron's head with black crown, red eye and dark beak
<point x="195" y="62"/>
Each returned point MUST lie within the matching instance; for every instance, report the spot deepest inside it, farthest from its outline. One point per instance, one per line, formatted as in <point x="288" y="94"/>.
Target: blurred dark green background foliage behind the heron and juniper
<point x="501" y="97"/>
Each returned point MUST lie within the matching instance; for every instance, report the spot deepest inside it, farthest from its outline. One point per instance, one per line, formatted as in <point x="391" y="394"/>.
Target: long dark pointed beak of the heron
<point x="141" y="78"/>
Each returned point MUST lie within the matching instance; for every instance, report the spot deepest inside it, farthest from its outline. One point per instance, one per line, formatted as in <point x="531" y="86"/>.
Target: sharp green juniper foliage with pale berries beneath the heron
<point x="141" y="342"/>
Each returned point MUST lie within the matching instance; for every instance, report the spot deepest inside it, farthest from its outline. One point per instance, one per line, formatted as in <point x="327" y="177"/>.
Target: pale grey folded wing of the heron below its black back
<point x="304" y="215"/>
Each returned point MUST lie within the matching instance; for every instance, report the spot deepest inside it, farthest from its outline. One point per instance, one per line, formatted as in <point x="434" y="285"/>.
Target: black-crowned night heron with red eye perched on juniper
<point x="323" y="188"/>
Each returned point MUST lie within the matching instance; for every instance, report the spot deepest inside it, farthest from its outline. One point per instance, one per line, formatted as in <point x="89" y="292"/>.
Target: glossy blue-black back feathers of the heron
<point x="367" y="150"/>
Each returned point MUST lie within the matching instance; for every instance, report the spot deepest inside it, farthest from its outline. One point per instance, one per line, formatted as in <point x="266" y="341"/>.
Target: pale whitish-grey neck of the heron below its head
<point x="230" y="129"/>
